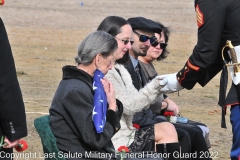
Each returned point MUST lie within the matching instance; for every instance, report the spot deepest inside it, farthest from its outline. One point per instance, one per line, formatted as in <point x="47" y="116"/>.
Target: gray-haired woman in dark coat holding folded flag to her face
<point x="73" y="107"/>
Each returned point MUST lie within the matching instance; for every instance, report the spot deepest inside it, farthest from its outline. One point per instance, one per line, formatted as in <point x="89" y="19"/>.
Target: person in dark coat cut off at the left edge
<point x="12" y="111"/>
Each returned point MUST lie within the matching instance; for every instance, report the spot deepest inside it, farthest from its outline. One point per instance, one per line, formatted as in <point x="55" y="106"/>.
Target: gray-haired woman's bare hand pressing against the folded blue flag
<point x="110" y="93"/>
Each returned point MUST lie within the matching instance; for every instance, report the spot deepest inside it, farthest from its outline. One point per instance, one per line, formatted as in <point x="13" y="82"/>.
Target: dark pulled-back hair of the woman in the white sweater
<point x="112" y="25"/>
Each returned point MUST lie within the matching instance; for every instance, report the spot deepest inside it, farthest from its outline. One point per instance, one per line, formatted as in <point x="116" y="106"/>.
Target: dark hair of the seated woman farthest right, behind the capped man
<point x="166" y="33"/>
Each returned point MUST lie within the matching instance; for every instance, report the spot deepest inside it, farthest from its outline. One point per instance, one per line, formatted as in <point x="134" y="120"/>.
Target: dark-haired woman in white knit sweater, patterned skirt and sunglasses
<point x="161" y="132"/>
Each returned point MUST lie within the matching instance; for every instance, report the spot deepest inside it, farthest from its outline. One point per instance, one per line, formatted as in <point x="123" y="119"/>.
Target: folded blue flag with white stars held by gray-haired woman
<point x="100" y="102"/>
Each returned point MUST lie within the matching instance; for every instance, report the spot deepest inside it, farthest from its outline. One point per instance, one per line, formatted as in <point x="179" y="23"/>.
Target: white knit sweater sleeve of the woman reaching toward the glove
<point x="132" y="99"/>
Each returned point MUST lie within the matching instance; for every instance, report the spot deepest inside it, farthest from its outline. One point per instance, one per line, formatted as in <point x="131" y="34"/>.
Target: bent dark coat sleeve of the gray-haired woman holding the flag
<point x="79" y="107"/>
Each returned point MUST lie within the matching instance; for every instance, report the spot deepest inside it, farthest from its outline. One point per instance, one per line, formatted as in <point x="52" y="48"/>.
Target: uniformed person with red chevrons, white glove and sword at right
<point x="217" y="21"/>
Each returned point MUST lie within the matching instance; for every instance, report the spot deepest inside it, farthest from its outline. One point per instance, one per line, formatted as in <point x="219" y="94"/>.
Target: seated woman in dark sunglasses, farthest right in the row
<point x="158" y="51"/>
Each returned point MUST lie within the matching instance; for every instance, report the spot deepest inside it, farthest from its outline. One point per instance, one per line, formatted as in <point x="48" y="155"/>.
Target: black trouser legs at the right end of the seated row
<point x="198" y="144"/>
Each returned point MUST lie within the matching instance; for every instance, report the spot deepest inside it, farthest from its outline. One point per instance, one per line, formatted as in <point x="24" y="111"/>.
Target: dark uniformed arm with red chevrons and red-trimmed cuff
<point x="211" y="18"/>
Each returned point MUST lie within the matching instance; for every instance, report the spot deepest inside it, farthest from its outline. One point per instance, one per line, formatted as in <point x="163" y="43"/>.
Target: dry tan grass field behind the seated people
<point x="44" y="36"/>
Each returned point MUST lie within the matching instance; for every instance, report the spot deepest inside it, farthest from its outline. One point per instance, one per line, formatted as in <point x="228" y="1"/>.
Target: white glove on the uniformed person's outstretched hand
<point x="170" y="83"/>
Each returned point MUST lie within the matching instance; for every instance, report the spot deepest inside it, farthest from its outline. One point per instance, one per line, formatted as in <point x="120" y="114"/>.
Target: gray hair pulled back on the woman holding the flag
<point x="97" y="42"/>
